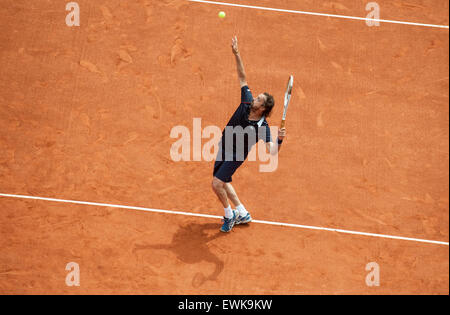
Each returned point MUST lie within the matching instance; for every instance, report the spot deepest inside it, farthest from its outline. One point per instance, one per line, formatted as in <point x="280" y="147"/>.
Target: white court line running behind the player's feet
<point x="218" y="217"/>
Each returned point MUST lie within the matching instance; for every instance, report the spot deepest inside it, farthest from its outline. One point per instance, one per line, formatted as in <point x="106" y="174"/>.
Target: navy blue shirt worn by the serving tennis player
<point x="244" y="132"/>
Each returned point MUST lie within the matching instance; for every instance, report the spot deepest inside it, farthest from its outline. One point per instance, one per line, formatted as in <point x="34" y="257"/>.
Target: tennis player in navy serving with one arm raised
<point x="247" y="125"/>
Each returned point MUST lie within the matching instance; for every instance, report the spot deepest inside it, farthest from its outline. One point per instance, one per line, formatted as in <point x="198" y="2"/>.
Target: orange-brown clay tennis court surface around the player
<point x="86" y="114"/>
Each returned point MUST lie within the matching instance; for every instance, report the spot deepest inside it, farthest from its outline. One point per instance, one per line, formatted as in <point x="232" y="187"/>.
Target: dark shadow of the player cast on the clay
<point x="190" y="245"/>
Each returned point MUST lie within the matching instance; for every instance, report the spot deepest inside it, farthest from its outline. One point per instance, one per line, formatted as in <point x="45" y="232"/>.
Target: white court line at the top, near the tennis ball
<point x="319" y="14"/>
